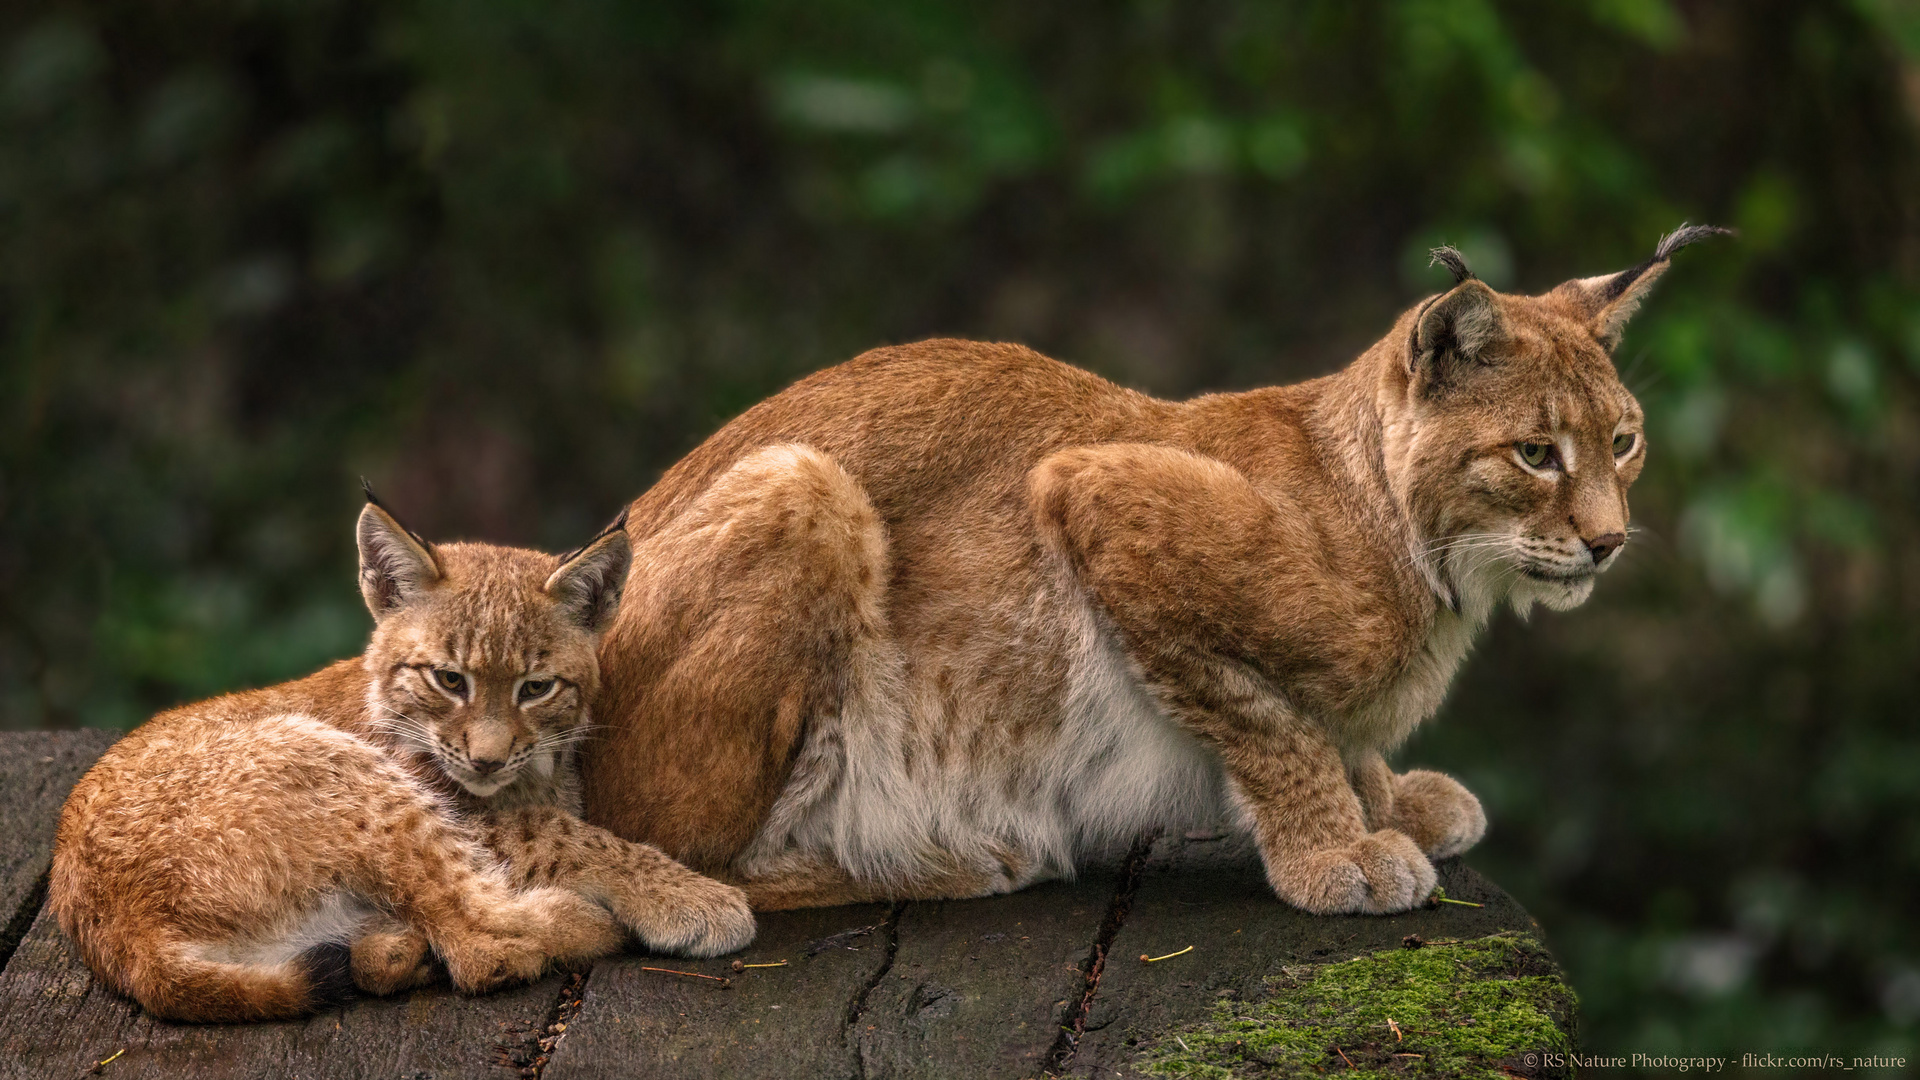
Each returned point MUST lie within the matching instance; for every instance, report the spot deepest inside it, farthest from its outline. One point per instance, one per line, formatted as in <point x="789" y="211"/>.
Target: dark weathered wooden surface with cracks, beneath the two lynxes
<point x="1040" y="983"/>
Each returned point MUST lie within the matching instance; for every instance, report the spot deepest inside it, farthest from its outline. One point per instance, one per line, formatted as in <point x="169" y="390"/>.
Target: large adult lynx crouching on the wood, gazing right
<point x="946" y="618"/>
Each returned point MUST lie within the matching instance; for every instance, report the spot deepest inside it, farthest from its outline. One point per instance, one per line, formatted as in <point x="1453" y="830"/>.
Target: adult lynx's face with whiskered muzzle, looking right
<point x="1522" y="445"/>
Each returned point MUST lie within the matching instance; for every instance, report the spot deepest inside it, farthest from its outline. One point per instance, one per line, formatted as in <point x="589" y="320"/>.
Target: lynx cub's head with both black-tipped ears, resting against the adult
<point x="485" y="658"/>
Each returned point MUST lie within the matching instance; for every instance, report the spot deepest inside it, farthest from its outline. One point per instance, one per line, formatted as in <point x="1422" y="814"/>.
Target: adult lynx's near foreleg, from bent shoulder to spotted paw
<point x="1239" y="627"/>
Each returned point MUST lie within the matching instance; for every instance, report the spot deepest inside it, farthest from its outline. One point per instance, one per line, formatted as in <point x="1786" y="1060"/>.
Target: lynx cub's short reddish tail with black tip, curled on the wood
<point x="176" y="985"/>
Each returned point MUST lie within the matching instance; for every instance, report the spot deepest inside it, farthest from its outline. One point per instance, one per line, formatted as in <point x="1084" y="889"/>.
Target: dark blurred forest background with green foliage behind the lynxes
<point x="510" y="260"/>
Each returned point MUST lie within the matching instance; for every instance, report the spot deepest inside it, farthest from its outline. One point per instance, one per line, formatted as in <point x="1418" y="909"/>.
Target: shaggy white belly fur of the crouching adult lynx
<point x="1113" y="768"/>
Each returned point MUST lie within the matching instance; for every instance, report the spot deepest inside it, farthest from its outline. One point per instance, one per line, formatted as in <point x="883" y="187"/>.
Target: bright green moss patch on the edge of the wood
<point x="1464" y="1010"/>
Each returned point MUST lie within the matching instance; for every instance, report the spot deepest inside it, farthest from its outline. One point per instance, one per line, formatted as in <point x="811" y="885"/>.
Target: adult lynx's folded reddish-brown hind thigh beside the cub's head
<point x="757" y="610"/>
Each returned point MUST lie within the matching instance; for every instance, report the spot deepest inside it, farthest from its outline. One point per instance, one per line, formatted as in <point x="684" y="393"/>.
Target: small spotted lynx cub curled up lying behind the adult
<point x="224" y="860"/>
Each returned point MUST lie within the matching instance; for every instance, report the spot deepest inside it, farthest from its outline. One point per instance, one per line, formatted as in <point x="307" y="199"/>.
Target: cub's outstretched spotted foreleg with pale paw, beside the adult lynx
<point x="661" y="902"/>
